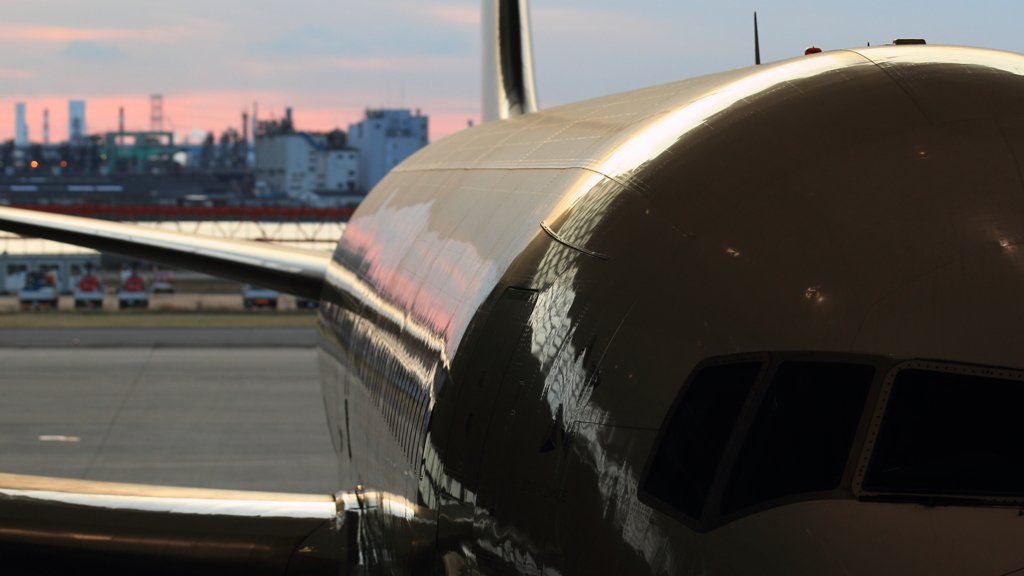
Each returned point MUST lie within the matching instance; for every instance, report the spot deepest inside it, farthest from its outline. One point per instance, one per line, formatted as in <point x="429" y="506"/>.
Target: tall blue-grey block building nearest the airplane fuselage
<point x="386" y="138"/>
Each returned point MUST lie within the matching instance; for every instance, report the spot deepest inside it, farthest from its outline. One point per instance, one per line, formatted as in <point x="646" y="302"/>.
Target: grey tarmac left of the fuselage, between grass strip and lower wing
<point x="236" y="408"/>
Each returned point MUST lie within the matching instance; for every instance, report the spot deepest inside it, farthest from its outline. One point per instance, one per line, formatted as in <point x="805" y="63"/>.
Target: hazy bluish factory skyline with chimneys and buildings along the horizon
<point x="279" y="163"/>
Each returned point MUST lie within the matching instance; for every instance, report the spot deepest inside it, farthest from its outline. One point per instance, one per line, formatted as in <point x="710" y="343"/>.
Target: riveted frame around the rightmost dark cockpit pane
<point x="865" y="461"/>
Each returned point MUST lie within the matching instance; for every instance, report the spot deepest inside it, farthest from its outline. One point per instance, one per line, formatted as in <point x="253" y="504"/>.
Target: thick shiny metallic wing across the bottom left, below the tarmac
<point x="57" y="526"/>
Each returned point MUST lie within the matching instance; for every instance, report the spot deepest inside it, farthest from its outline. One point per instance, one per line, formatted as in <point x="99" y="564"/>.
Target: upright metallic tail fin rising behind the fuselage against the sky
<point x="508" y="60"/>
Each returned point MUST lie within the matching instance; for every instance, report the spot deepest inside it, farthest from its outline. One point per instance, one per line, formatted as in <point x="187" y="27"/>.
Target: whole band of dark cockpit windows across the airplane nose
<point x="754" y="432"/>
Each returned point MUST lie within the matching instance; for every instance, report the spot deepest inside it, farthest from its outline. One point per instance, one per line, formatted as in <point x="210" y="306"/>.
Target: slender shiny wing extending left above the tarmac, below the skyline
<point x="288" y="270"/>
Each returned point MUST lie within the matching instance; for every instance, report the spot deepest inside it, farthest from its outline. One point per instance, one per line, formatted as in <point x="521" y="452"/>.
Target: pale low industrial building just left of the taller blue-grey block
<point x="300" y="164"/>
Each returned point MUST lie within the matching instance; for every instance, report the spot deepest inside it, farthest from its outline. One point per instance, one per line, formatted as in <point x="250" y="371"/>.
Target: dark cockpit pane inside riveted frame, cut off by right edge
<point x="950" y="434"/>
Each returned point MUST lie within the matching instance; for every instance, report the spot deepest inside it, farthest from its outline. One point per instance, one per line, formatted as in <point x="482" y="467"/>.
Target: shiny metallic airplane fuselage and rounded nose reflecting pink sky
<point x="509" y="388"/>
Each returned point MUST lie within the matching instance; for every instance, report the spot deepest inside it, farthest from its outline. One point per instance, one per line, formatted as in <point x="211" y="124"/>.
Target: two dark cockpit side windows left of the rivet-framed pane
<point x="750" y="430"/>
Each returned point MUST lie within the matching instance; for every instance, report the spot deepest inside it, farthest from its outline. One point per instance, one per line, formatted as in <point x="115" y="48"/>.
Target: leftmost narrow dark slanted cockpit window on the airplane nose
<point x="684" y="469"/>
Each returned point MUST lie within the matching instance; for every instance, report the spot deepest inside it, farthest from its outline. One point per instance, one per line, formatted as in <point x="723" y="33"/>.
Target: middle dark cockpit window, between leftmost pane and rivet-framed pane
<point x="801" y="438"/>
